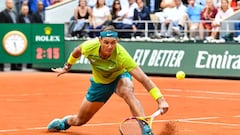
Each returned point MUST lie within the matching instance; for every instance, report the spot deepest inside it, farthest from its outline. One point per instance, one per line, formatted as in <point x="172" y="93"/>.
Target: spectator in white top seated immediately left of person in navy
<point x="127" y="21"/>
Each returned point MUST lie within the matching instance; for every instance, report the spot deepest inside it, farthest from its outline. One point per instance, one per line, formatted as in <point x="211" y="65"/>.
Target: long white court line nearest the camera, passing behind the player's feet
<point x="105" y="124"/>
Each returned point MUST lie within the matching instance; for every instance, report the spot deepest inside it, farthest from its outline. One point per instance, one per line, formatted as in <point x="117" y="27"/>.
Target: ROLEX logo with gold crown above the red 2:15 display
<point x="48" y="35"/>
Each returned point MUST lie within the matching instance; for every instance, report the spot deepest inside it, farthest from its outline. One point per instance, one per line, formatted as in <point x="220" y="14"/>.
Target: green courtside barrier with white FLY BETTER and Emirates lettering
<point x="221" y="60"/>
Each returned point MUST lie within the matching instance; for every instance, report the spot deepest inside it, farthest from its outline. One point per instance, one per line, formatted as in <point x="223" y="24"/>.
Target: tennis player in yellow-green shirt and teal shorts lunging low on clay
<point x="112" y="69"/>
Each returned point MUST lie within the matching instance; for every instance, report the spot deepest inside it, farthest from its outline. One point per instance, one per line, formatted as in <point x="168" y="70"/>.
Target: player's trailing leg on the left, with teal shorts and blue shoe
<point x="96" y="97"/>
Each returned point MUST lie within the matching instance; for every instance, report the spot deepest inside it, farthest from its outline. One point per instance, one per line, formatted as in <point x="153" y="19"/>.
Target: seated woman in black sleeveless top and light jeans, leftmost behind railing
<point x="82" y="14"/>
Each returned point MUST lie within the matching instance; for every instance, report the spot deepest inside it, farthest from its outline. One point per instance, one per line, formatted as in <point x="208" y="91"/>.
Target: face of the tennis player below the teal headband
<point x="107" y="45"/>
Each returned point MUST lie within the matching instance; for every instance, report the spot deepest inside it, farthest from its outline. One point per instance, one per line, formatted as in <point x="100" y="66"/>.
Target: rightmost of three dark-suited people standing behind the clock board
<point x="39" y="16"/>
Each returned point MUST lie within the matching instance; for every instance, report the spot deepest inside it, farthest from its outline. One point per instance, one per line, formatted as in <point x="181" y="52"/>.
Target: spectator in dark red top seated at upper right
<point x="207" y="16"/>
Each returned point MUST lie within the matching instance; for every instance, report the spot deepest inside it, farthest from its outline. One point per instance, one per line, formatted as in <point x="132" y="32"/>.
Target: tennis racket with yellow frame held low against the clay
<point x="138" y="125"/>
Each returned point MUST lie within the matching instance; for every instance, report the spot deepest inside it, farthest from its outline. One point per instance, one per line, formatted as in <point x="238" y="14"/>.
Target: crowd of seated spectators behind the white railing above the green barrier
<point x="195" y="19"/>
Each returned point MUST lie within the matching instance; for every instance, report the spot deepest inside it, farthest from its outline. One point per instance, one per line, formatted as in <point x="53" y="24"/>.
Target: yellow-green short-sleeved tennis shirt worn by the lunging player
<point x="106" y="71"/>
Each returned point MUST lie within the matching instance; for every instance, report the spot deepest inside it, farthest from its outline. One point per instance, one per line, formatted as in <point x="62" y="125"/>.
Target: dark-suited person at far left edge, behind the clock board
<point x="8" y="15"/>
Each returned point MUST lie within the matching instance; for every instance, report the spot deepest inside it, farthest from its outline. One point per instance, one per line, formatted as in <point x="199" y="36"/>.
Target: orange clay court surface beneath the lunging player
<point x="30" y="100"/>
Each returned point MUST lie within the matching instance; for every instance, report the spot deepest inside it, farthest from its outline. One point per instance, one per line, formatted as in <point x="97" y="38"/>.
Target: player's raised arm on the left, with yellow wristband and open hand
<point x="72" y="59"/>
